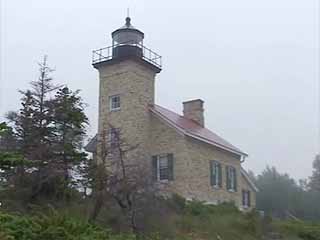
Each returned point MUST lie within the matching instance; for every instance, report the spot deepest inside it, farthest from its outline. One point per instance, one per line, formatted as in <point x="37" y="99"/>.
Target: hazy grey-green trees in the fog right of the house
<point x="280" y="196"/>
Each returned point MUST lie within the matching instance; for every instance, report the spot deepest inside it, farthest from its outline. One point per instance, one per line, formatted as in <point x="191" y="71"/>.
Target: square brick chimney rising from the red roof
<point x="193" y="110"/>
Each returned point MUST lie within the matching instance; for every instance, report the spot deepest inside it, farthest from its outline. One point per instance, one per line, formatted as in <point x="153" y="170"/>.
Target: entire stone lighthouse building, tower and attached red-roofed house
<point x="183" y="156"/>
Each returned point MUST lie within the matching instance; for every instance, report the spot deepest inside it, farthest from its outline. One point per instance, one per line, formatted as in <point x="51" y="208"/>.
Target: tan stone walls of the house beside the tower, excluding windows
<point x="192" y="166"/>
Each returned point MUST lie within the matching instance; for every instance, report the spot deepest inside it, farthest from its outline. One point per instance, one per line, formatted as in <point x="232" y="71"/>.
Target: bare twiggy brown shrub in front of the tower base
<point x="122" y="176"/>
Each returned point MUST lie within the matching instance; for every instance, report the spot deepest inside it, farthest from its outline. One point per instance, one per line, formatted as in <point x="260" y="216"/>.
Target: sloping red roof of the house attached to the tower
<point x="193" y="129"/>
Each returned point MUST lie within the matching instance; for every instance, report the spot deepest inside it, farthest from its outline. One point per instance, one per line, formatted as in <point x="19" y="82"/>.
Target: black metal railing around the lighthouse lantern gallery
<point x="108" y="53"/>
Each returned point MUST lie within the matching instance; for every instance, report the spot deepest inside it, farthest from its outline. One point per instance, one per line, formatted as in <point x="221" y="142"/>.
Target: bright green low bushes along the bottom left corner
<point x="52" y="227"/>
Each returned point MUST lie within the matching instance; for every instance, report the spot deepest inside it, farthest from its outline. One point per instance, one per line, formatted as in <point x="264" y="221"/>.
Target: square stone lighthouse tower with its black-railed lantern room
<point x="127" y="71"/>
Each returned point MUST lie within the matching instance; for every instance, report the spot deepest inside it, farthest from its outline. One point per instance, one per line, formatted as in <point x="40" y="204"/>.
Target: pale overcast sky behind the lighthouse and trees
<point x="254" y="63"/>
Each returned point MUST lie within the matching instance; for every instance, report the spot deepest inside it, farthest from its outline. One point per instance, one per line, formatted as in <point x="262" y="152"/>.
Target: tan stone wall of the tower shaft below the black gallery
<point x="134" y="83"/>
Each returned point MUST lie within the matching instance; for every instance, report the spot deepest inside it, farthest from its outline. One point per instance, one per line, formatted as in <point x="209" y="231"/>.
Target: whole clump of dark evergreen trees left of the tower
<point x="49" y="133"/>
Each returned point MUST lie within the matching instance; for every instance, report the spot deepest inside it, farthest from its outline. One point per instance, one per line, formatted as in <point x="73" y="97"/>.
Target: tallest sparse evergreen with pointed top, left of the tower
<point x="33" y="126"/>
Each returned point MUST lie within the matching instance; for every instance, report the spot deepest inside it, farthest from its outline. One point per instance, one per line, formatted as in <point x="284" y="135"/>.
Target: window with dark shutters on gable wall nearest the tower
<point x="163" y="167"/>
